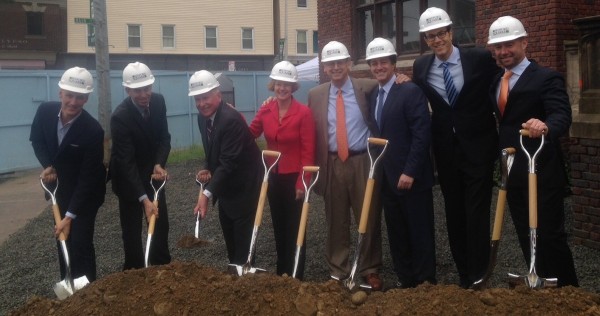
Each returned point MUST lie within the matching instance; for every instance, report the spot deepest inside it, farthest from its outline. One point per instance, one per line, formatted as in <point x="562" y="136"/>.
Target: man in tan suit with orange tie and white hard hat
<point x="345" y="164"/>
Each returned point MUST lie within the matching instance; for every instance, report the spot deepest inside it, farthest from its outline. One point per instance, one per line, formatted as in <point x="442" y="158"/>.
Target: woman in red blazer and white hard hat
<point x="289" y="128"/>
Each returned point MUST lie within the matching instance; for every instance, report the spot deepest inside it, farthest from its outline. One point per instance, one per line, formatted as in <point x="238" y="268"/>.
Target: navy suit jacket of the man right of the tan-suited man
<point x="407" y="126"/>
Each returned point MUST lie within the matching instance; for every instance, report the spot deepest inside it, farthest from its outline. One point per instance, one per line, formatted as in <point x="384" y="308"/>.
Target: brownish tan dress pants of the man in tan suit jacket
<point x="344" y="194"/>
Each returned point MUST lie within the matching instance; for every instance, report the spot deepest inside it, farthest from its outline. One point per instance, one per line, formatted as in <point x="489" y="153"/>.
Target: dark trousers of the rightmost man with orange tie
<point x="553" y="255"/>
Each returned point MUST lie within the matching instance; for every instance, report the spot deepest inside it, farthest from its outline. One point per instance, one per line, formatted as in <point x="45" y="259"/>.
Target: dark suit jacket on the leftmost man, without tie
<point x="78" y="159"/>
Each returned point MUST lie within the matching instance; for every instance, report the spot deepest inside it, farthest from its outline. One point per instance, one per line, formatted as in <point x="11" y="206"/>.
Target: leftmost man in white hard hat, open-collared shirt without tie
<point x="68" y="142"/>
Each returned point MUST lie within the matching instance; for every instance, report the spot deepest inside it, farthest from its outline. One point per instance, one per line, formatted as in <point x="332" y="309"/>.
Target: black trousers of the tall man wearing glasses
<point x="467" y="190"/>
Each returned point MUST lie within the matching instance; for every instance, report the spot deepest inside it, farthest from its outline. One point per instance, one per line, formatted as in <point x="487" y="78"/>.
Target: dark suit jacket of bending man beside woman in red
<point x="233" y="159"/>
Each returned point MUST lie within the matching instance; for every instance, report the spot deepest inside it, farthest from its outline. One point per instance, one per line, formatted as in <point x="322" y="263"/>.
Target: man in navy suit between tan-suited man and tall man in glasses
<point x="402" y="117"/>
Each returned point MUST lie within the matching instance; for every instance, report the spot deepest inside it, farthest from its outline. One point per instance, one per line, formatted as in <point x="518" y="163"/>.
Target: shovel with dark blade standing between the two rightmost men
<point x="508" y="156"/>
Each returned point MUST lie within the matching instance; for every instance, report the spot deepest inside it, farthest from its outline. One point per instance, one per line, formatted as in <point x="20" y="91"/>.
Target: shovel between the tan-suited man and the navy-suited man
<point x="350" y="282"/>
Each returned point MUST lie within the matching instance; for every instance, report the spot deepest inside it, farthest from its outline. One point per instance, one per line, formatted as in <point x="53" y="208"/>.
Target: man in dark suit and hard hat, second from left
<point x="140" y="147"/>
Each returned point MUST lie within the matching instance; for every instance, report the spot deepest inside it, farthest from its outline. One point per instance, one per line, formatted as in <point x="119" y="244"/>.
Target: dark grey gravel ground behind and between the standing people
<point x="29" y="267"/>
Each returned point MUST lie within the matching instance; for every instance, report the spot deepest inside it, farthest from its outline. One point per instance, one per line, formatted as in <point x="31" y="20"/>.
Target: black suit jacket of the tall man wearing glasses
<point x="470" y="125"/>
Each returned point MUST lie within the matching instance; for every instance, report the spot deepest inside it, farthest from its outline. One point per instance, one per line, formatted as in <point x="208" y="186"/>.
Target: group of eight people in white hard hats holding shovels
<point x="478" y="104"/>
